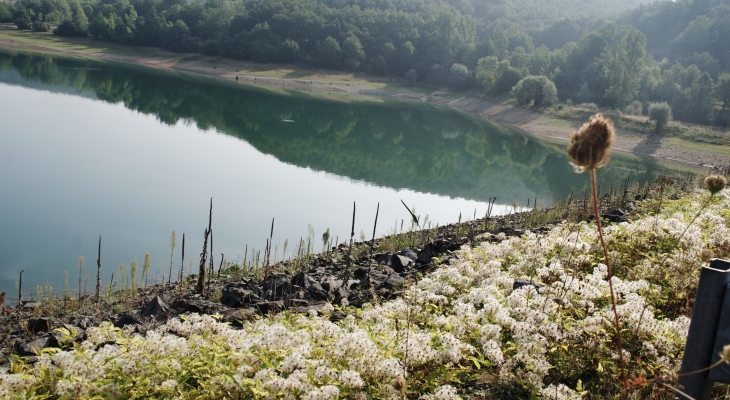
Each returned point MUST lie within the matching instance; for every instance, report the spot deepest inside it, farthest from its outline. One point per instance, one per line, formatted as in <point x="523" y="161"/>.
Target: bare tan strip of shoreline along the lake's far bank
<point x="320" y="81"/>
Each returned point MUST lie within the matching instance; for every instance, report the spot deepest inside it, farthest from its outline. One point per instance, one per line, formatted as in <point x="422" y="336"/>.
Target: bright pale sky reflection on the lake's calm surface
<point x="72" y="168"/>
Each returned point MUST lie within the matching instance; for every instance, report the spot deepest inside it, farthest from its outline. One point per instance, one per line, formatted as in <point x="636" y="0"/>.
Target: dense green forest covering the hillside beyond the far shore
<point x="668" y="51"/>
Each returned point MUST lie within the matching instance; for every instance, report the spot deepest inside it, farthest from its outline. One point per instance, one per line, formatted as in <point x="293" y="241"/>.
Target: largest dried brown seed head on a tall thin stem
<point x="590" y="146"/>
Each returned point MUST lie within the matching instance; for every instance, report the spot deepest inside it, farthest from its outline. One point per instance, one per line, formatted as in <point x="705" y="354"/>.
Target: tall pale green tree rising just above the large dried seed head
<point x="625" y="61"/>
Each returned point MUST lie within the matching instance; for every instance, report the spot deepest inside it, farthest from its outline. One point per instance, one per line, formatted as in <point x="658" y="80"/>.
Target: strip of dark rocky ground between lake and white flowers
<point x="328" y="278"/>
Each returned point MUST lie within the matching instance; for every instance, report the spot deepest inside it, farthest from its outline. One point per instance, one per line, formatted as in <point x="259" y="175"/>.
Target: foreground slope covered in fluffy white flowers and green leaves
<point x="456" y="330"/>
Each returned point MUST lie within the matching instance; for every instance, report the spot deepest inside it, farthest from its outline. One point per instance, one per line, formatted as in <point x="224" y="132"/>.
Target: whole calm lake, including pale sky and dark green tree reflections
<point x="131" y="153"/>
